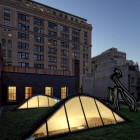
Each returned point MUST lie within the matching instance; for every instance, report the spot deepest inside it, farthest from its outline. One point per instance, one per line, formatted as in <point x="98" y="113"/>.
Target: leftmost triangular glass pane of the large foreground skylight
<point x="41" y="132"/>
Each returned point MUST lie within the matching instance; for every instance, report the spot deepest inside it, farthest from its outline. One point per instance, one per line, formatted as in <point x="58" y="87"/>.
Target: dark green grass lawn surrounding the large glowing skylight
<point x="15" y="124"/>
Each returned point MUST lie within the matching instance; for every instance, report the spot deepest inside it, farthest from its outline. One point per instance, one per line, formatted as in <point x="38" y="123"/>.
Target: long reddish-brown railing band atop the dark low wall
<point x="34" y="70"/>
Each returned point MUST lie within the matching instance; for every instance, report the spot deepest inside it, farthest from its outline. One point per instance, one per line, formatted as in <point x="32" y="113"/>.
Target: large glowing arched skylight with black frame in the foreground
<point x="78" y="112"/>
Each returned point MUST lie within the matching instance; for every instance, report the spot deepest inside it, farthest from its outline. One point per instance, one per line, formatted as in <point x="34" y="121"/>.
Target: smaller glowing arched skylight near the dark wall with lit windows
<point x="38" y="101"/>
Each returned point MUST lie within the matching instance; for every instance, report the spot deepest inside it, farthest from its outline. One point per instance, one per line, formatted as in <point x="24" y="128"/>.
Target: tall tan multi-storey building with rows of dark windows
<point x="39" y="36"/>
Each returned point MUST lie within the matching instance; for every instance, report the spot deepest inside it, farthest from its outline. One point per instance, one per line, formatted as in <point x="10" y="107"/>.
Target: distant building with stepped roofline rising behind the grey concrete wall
<point x="109" y="54"/>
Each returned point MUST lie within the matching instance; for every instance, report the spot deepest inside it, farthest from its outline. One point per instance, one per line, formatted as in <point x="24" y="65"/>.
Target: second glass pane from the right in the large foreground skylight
<point x="106" y="113"/>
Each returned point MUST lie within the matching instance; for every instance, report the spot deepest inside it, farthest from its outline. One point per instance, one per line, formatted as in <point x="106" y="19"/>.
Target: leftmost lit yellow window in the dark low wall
<point x="11" y="93"/>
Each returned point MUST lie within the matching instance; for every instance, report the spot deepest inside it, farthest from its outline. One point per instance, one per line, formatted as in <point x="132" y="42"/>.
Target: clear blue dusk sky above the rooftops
<point x="116" y="23"/>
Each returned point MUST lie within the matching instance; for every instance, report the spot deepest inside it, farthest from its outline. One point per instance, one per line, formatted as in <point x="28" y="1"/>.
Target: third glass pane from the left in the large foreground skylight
<point x="75" y="114"/>
